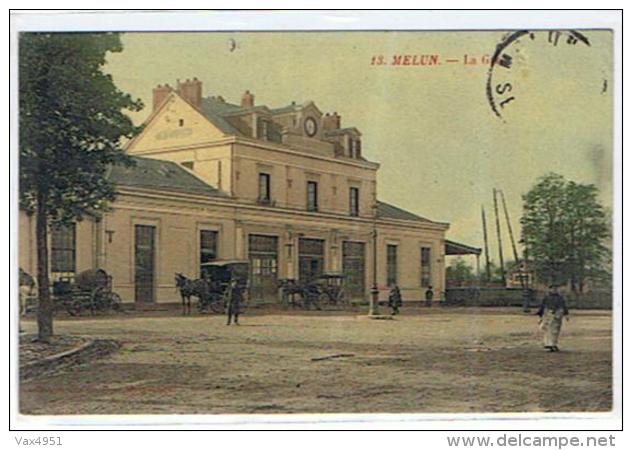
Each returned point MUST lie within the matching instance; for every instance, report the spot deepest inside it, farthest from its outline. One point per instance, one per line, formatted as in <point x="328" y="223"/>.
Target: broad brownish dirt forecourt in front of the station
<point x="438" y="360"/>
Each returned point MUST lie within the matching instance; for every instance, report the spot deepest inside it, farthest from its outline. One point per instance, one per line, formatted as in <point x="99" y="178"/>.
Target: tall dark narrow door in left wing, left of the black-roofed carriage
<point x="144" y="263"/>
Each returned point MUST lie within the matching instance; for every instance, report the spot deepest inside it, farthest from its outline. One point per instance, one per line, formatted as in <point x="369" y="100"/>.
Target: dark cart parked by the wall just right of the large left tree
<point x="89" y="290"/>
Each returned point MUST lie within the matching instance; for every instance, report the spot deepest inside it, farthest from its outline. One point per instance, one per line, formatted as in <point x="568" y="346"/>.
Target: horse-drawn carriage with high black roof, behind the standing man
<point x="211" y="288"/>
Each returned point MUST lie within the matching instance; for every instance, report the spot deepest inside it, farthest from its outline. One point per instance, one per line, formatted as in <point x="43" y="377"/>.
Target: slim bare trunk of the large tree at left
<point x="45" y="303"/>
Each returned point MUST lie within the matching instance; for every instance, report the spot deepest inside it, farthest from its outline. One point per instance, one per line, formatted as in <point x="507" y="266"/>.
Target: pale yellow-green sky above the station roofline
<point x="441" y="148"/>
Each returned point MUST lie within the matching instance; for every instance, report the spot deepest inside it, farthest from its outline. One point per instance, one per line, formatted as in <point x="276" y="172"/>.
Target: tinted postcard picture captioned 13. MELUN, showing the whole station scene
<point x="265" y="222"/>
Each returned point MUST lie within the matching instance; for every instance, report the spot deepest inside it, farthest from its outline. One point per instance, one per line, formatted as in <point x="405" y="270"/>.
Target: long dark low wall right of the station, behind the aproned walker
<point x="474" y="296"/>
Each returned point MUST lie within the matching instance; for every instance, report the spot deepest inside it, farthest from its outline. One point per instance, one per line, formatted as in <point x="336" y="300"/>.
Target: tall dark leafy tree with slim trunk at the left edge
<point x="72" y="124"/>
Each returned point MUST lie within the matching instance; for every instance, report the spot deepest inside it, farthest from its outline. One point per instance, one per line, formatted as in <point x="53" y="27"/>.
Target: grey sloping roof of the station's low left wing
<point x="163" y="175"/>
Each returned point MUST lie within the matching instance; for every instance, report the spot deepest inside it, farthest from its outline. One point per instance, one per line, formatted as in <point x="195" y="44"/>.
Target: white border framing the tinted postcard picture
<point x="326" y="21"/>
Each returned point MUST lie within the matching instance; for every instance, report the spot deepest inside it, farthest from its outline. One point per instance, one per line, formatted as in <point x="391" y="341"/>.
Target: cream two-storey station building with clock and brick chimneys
<point x="287" y="188"/>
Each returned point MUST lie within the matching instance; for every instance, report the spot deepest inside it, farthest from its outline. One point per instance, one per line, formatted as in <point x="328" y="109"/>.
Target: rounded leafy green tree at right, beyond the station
<point x="565" y="229"/>
